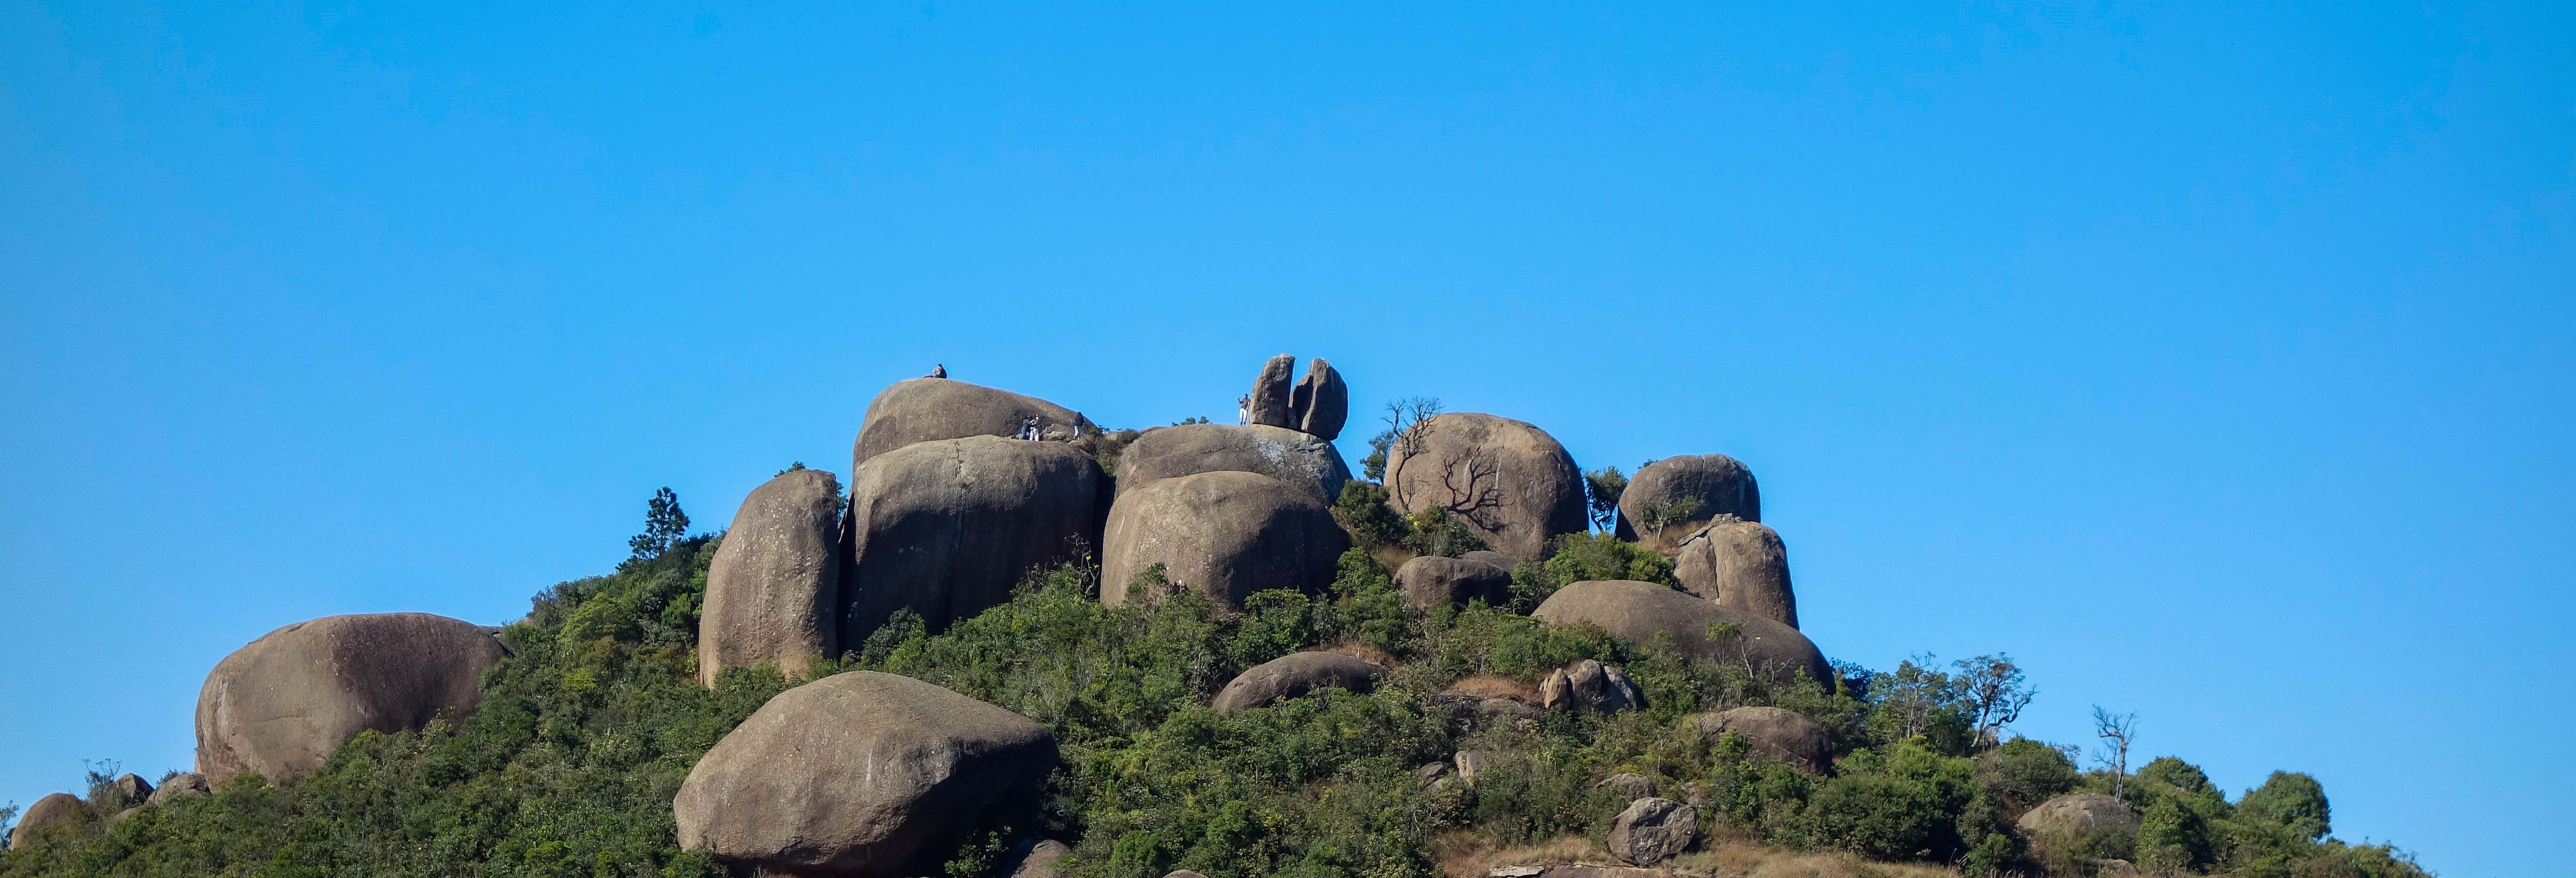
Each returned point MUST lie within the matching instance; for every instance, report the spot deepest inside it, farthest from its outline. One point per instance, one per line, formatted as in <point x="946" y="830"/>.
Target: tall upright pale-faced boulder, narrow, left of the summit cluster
<point x="774" y="591"/>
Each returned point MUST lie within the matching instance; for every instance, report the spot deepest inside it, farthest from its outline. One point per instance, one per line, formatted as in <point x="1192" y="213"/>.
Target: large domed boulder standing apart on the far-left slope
<point x="290" y="699"/>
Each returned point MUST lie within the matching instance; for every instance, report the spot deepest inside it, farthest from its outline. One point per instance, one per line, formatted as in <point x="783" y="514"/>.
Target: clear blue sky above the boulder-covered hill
<point x="2217" y="362"/>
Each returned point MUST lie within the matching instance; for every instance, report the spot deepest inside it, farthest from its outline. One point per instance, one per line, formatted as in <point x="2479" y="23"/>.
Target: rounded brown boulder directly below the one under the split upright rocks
<point x="1227" y="534"/>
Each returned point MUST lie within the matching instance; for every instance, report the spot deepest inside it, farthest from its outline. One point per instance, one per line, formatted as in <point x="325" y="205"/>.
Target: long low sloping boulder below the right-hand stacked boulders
<point x="1642" y="609"/>
